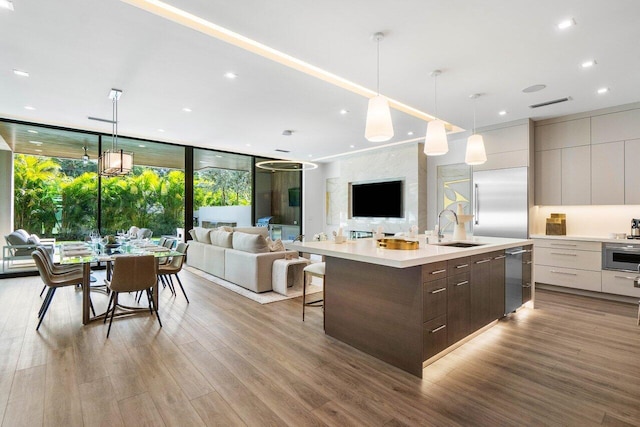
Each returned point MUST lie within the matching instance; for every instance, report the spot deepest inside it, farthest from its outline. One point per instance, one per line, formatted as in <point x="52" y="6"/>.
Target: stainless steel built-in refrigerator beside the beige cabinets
<point x="500" y="203"/>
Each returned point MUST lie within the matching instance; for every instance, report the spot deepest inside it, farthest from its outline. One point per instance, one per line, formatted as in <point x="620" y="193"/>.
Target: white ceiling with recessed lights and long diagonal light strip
<point x="75" y="51"/>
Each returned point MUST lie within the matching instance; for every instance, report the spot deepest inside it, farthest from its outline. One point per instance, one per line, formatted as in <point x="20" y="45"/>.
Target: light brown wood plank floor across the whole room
<point x="226" y="360"/>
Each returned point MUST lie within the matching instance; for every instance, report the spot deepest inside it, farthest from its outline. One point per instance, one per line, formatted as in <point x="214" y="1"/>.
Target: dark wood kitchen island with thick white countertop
<point x="407" y="307"/>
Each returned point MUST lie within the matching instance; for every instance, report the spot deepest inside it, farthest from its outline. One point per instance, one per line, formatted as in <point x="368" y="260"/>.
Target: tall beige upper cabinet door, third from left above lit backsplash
<point x="608" y="173"/>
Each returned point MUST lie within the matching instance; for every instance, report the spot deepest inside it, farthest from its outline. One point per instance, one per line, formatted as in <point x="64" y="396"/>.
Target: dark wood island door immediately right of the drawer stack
<point x="458" y="307"/>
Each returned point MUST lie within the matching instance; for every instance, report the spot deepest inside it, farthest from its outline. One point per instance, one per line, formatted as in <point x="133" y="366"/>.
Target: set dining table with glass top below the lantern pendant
<point x="85" y="254"/>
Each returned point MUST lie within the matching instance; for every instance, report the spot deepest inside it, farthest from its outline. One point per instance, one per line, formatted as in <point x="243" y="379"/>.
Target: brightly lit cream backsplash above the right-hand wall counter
<point x="596" y="221"/>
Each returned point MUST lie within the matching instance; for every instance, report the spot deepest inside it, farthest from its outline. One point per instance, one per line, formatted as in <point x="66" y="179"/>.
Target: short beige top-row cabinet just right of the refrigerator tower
<point x="572" y="133"/>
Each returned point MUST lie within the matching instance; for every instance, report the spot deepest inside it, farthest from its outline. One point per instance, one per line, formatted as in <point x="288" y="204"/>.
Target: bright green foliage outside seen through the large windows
<point x="59" y="197"/>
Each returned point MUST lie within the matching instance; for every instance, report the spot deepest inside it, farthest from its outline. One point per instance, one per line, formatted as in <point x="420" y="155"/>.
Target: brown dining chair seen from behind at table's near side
<point x="131" y="274"/>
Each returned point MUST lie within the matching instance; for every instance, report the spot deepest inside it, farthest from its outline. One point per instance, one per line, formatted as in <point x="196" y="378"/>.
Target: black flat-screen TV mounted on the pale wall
<point x="377" y="199"/>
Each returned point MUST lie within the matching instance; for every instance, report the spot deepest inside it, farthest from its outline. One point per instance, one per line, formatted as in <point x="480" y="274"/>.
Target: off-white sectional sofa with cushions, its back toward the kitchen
<point x="242" y="255"/>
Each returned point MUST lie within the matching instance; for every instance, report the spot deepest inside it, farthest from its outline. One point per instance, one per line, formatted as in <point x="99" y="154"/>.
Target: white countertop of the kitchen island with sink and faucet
<point x="365" y="250"/>
